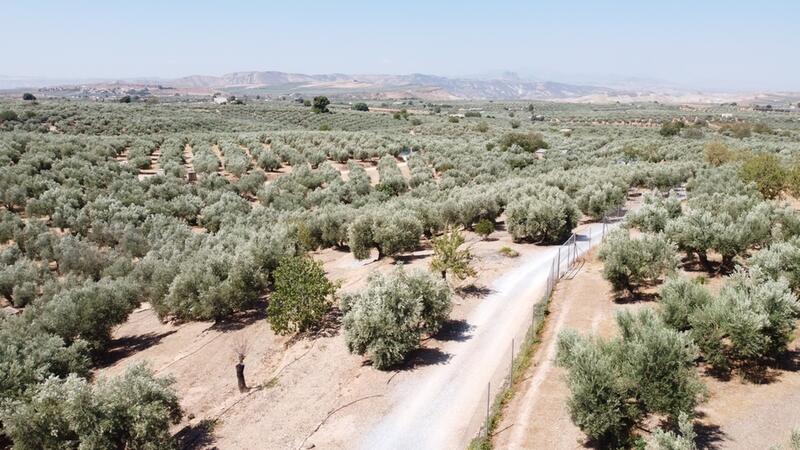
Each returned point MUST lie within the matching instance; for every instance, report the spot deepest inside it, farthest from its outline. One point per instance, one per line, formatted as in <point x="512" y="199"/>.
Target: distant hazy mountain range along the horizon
<point x="506" y="86"/>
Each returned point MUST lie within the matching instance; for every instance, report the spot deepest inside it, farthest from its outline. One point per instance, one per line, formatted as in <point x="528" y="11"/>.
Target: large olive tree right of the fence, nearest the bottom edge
<point x="616" y="383"/>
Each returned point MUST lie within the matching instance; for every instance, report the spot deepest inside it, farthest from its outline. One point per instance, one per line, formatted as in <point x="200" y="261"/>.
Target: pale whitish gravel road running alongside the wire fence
<point x="442" y="407"/>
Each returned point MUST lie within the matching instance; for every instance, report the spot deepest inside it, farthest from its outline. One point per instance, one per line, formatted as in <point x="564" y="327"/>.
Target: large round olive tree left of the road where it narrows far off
<point x="548" y="215"/>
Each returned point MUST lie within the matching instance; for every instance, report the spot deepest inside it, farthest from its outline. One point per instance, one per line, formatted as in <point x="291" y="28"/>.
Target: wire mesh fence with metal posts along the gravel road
<point x="565" y="263"/>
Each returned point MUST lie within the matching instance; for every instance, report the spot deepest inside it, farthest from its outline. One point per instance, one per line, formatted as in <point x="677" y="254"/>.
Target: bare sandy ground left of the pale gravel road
<point x="295" y="385"/>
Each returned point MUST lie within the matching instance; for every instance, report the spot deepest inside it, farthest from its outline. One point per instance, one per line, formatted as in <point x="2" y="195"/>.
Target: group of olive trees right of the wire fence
<point x="615" y="384"/>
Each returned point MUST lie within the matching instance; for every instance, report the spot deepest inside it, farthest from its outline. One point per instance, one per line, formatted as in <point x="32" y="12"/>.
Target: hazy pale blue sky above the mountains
<point x="703" y="43"/>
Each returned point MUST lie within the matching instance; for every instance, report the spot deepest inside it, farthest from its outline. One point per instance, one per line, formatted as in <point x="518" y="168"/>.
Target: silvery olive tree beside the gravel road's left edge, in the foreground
<point x="387" y="318"/>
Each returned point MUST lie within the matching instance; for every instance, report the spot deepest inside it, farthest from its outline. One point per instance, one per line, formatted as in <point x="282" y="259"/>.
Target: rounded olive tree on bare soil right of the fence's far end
<point x="630" y="262"/>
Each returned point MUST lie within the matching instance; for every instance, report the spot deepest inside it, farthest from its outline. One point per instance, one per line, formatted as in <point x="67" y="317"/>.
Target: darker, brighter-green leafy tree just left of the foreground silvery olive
<point x="302" y="296"/>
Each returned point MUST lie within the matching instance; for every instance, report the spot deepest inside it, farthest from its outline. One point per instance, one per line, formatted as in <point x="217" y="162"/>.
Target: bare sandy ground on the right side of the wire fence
<point x="737" y="414"/>
